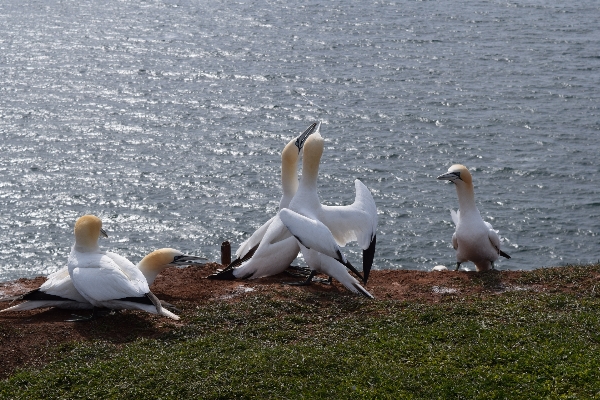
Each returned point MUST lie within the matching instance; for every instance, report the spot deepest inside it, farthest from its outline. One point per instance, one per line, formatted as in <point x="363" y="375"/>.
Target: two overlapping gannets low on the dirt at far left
<point x="103" y="279"/>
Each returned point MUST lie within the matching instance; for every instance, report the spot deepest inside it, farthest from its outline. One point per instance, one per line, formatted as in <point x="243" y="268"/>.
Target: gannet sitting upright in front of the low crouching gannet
<point x="105" y="279"/>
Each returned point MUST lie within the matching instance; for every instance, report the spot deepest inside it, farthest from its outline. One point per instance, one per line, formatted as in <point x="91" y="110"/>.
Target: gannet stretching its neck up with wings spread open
<point x="321" y="230"/>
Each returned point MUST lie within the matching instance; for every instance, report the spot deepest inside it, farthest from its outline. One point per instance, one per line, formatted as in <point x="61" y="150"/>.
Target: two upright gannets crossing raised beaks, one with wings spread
<point x="317" y="230"/>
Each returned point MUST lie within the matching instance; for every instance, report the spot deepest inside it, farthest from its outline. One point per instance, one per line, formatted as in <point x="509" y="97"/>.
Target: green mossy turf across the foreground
<point x="514" y="345"/>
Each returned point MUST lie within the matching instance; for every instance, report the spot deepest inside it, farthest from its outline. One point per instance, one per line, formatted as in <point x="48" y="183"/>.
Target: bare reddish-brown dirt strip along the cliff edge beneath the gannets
<point x="27" y="336"/>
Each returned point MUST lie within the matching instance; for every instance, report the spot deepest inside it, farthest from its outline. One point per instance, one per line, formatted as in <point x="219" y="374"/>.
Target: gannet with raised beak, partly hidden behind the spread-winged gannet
<point x="271" y="248"/>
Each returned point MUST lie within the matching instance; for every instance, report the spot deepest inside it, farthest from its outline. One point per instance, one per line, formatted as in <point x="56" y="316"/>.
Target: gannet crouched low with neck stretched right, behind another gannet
<point x="58" y="290"/>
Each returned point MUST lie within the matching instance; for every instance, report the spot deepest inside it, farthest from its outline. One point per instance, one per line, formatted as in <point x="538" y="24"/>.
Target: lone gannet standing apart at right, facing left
<point x="474" y="239"/>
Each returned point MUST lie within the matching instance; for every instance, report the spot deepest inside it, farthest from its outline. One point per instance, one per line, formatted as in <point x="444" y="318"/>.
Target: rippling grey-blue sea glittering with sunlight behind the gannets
<point x="167" y="119"/>
